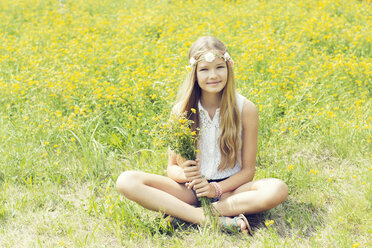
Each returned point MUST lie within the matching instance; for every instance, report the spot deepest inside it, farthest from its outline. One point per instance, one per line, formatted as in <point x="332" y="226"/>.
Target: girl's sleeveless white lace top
<point x="210" y="156"/>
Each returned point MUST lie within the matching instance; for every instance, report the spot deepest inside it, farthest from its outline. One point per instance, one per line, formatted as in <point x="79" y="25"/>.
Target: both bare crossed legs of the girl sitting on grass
<point x="161" y="193"/>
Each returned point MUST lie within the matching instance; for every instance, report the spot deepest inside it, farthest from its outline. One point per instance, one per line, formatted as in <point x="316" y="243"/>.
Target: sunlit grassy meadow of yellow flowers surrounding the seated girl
<point x="87" y="85"/>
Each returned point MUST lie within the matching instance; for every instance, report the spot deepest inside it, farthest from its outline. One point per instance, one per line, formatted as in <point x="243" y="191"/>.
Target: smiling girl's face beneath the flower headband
<point x="212" y="76"/>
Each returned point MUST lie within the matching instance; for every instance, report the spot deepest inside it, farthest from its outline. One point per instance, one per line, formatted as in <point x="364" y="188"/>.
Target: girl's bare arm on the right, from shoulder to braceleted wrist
<point x="249" y="119"/>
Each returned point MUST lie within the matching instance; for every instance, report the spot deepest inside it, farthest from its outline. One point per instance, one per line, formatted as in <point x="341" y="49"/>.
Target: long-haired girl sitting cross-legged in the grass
<point x="225" y="167"/>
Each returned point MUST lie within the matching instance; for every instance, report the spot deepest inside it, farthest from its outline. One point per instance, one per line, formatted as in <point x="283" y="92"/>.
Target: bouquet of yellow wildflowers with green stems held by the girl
<point x="182" y="140"/>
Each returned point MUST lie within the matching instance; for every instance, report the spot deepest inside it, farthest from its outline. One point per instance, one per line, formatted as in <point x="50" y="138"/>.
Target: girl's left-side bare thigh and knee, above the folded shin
<point x="133" y="180"/>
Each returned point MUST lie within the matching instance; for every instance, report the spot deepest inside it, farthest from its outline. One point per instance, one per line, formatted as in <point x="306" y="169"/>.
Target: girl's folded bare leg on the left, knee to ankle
<point x="160" y="193"/>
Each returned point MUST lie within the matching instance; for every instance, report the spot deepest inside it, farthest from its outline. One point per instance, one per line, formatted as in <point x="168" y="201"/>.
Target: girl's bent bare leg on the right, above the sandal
<point x="253" y="197"/>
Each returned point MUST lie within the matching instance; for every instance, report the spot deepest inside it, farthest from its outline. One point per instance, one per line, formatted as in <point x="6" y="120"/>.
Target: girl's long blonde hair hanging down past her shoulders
<point x="189" y="96"/>
